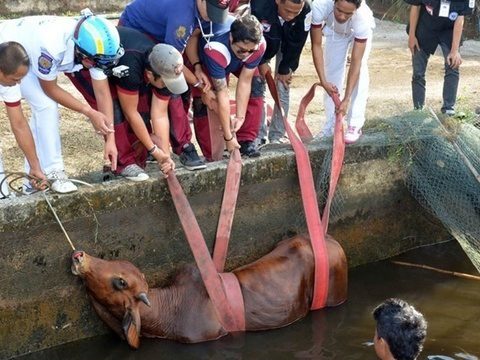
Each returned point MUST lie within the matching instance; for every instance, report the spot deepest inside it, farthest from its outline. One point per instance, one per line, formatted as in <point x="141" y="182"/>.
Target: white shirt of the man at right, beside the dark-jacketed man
<point x="360" y="25"/>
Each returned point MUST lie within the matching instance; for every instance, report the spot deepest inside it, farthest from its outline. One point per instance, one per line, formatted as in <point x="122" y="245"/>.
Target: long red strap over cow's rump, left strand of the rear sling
<point x="310" y="205"/>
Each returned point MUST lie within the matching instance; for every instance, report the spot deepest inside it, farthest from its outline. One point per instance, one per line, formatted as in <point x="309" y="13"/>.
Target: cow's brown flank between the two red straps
<point x="277" y="288"/>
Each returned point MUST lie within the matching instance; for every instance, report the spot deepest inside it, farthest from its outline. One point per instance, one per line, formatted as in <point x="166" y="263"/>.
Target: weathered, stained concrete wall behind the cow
<point x="42" y="304"/>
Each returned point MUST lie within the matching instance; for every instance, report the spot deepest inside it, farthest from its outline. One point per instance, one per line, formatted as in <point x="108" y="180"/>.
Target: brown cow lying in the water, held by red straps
<point x="277" y="290"/>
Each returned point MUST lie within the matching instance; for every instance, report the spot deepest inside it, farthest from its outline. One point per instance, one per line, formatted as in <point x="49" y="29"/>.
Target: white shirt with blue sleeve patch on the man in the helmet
<point x="49" y="44"/>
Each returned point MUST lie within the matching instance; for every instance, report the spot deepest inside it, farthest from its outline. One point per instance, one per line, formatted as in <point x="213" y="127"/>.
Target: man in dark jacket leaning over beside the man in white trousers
<point x="286" y="24"/>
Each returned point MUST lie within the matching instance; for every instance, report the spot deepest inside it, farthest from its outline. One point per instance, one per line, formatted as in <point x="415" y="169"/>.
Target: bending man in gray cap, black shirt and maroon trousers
<point x="140" y="101"/>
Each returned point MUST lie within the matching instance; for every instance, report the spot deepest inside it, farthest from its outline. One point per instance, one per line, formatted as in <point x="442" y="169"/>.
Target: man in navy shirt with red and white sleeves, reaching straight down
<point x="238" y="49"/>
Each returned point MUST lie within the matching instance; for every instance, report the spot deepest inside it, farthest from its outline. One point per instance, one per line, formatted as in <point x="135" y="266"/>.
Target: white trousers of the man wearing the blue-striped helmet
<point x="44" y="124"/>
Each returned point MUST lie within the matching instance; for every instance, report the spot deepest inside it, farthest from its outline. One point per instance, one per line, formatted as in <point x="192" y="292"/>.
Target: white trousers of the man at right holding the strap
<point x="335" y="58"/>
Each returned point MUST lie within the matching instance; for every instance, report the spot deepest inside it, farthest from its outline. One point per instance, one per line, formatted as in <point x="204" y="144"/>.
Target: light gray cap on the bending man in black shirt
<point x="167" y="62"/>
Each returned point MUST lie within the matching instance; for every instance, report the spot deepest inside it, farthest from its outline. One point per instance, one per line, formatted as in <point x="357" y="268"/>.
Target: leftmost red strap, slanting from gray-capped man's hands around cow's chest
<point x="231" y="320"/>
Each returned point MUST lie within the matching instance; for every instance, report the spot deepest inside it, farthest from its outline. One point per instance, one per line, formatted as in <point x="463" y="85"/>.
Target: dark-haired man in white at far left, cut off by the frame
<point x="14" y="65"/>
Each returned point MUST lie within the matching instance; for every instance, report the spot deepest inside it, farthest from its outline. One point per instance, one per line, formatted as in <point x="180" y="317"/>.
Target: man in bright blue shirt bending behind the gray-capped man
<point x="173" y="22"/>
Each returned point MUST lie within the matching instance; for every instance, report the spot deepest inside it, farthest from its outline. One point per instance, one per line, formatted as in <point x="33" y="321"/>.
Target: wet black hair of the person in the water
<point x="402" y="327"/>
